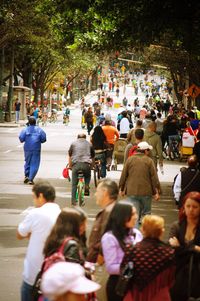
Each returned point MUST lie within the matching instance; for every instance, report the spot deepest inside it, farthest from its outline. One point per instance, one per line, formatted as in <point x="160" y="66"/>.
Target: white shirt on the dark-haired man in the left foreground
<point x="39" y="223"/>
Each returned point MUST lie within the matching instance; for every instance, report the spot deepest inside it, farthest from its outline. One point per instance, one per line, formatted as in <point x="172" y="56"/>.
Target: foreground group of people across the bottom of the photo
<point x="88" y="267"/>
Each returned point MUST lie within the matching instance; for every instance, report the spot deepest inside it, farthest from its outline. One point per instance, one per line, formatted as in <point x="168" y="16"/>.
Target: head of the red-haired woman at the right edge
<point x="191" y="206"/>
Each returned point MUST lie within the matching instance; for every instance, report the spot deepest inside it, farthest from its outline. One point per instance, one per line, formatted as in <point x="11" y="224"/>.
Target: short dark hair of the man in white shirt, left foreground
<point x="46" y="189"/>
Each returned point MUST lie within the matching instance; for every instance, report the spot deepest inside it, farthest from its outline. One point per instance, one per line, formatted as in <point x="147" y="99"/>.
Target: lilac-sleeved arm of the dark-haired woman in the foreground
<point x="110" y="247"/>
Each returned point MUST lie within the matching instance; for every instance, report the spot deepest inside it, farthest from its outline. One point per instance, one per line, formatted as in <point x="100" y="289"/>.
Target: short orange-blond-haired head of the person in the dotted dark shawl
<point x="152" y="226"/>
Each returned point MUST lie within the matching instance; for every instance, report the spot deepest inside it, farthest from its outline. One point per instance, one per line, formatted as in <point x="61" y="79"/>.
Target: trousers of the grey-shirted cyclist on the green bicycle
<point x="86" y="169"/>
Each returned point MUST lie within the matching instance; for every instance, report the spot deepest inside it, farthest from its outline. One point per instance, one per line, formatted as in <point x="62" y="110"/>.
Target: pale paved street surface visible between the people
<point x="15" y="197"/>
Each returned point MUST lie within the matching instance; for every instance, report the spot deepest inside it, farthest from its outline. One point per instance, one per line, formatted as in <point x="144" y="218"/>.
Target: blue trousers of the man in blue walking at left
<point x="32" y="163"/>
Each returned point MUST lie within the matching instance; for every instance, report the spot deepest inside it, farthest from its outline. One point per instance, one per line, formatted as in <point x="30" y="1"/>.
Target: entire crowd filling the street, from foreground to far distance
<point x="126" y="239"/>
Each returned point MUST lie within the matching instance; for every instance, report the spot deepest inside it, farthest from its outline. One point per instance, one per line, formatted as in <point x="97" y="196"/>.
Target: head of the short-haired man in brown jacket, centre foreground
<point x="107" y="192"/>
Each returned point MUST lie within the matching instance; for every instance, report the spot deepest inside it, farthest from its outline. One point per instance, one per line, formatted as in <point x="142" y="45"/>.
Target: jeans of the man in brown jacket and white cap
<point x="142" y="205"/>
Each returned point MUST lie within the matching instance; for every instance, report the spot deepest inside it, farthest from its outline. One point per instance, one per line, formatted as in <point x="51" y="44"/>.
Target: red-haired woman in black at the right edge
<point x="184" y="236"/>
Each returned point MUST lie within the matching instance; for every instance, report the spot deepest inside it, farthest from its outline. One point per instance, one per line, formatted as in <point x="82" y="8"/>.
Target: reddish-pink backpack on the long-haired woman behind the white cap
<point x="47" y="263"/>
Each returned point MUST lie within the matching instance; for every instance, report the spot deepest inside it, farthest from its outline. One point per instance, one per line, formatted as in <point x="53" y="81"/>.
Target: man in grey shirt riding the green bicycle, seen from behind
<point x="81" y="154"/>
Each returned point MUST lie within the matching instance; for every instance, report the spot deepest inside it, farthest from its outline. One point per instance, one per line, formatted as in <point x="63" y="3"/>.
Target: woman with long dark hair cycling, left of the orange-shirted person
<point x="98" y="140"/>
